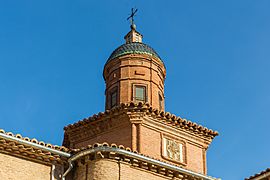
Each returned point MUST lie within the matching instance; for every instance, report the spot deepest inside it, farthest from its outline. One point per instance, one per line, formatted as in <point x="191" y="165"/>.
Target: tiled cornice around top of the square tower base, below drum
<point x="133" y="109"/>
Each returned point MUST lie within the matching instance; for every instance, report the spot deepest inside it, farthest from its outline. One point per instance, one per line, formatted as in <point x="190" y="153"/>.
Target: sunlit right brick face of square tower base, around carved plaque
<point x="194" y="150"/>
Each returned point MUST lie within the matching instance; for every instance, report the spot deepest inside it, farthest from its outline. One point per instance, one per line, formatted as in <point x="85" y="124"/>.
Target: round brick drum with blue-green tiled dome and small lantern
<point x="134" y="72"/>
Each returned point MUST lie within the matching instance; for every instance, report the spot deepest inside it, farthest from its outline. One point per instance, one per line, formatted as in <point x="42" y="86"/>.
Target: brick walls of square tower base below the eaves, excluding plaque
<point x="144" y="134"/>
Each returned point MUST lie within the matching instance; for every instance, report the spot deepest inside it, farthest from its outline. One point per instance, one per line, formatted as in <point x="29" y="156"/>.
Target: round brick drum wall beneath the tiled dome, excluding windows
<point x="126" y="71"/>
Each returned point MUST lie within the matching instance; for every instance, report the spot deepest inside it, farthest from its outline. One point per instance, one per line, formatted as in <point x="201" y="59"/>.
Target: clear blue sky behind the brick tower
<point x="216" y="54"/>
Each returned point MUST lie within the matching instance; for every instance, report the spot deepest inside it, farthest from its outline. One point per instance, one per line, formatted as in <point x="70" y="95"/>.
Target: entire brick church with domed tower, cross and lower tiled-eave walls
<point x="133" y="139"/>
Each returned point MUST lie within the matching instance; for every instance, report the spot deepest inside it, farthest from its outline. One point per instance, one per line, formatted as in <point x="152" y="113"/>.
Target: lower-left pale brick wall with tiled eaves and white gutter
<point x="24" y="158"/>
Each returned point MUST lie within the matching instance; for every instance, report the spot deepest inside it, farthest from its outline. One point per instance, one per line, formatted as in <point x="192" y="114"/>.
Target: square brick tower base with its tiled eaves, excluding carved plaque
<point x="142" y="128"/>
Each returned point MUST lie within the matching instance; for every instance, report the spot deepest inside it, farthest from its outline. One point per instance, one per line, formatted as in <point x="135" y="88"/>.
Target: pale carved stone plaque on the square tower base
<point x="173" y="150"/>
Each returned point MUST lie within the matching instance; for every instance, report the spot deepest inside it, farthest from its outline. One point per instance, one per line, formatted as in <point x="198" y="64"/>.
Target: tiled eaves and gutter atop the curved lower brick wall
<point x="135" y="159"/>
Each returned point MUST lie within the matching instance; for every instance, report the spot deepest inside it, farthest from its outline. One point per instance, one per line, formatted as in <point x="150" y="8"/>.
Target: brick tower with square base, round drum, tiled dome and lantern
<point x="135" y="115"/>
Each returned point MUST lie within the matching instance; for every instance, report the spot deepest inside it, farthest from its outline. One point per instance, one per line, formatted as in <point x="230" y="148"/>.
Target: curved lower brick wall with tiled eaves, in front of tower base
<point x="112" y="165"/>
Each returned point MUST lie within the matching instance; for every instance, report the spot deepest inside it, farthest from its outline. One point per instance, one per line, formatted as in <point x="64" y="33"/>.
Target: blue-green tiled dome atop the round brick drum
<point x="133" y="48"/>
